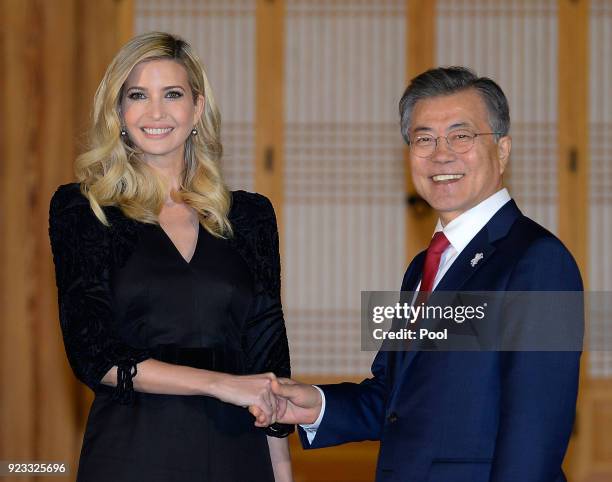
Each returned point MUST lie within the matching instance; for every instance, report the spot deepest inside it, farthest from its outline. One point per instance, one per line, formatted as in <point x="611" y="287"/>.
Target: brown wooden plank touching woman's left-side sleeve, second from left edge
<point x="56" y="424"/>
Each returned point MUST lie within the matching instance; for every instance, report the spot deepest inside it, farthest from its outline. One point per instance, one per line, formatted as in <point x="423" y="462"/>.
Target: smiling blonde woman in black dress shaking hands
<point x="168" y="284"/>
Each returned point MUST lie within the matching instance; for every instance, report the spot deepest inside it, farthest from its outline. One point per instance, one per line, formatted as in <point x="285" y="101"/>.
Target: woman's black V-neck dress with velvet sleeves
<point x="125" y="295"/>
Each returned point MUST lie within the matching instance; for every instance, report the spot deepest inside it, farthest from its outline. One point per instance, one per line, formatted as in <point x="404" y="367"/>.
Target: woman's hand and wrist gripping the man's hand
<point x="248" y="391"/>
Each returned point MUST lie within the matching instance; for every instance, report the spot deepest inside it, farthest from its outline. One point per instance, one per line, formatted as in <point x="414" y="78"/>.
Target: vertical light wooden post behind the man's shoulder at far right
<point x="573" y="172"/>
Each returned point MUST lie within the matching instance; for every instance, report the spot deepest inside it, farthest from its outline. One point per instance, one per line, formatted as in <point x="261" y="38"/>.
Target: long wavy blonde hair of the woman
<point x="112" y="173"/>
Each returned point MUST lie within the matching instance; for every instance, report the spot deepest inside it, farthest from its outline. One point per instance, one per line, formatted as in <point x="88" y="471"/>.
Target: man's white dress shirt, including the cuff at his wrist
<point x="459" y="232"/>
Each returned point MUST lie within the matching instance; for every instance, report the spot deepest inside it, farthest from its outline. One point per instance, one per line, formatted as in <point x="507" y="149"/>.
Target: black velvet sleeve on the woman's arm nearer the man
<point x="264" y="337"/>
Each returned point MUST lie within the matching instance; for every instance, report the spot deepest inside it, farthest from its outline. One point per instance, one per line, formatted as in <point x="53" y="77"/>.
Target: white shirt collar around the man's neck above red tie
<point x="461" y="230"/>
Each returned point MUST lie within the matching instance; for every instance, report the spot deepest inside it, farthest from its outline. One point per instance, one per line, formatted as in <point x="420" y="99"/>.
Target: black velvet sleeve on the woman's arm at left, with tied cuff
<point x="82" y="255"/>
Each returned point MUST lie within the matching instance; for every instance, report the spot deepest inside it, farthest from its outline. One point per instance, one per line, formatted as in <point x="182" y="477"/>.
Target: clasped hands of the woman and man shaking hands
<point x="271" y="399"/>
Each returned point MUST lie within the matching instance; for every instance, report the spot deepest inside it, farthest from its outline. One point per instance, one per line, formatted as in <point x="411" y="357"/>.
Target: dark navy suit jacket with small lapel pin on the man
<point x="470" y="416"/>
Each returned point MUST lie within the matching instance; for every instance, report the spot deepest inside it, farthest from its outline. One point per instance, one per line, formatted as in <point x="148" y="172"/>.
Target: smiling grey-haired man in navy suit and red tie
<point x="458" y="416"/>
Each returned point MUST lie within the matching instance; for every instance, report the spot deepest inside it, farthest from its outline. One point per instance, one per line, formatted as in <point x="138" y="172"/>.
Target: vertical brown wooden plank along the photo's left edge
<point x="17" y="427"/>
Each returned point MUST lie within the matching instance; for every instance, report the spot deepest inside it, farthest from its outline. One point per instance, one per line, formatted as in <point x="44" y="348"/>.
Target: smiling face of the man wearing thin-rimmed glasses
<point x="453" y="183"/>
